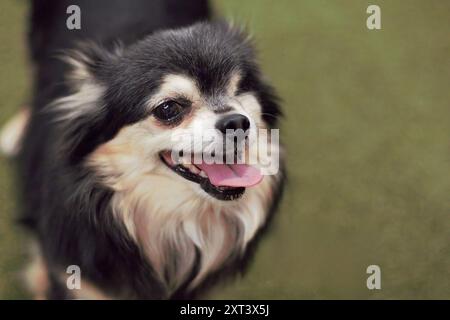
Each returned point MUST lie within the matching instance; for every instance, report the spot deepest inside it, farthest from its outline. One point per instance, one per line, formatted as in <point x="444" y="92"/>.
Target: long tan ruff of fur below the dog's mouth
<point x="168" y="215"/>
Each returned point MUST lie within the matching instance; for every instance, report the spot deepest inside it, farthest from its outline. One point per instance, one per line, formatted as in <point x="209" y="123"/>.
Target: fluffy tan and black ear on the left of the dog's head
<point x="80" y="114"/>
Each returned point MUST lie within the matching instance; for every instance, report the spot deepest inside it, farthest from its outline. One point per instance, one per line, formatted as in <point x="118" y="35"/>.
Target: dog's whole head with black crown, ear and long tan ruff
<point x="134" y="109"/>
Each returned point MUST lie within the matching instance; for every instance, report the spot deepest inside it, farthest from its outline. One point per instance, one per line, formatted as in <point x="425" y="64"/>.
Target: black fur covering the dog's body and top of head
<point x="64" y="205"/>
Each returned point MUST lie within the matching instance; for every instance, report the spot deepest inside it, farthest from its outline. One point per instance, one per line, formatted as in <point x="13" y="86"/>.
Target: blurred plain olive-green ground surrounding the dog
<point x="367" y="131"/>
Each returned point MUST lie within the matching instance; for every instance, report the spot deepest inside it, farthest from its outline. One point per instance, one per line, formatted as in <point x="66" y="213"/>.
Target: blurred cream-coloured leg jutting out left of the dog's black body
<point x="12" y="133"/>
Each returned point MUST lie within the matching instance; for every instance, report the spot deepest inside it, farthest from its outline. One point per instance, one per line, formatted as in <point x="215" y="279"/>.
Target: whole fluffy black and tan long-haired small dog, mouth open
<point x="100" y="187"/>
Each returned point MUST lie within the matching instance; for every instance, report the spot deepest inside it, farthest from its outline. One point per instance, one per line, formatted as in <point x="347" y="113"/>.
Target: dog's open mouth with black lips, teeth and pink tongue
<point x="221" y="181"/>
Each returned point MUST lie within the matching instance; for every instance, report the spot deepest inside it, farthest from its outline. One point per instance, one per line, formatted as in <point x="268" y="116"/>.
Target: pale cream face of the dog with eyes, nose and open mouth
<point x="183" y="120"/>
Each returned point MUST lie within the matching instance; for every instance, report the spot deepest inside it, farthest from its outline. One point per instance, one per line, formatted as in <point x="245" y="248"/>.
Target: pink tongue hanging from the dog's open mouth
<point x="234" y="175"/>
